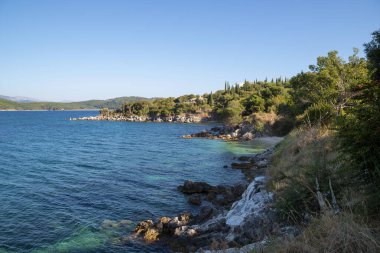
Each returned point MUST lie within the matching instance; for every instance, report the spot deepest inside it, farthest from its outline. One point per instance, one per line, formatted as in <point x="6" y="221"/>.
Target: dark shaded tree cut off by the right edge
<point x="359" y="130"/>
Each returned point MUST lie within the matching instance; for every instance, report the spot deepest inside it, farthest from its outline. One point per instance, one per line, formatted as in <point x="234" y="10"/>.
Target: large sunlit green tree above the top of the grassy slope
<point x="329" y="87"/>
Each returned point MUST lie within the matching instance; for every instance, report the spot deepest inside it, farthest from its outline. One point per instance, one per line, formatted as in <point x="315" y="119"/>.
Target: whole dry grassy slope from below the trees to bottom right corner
<point x="304" y="155"/>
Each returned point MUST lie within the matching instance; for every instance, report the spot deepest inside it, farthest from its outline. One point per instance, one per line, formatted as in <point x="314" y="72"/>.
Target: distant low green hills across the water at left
<point x="114" y="103"/>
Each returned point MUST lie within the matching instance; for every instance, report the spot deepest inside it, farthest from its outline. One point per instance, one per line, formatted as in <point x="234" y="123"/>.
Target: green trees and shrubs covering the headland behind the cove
<point x="229" y="105"/>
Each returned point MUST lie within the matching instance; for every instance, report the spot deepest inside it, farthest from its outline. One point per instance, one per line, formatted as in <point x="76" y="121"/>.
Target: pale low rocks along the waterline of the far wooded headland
<point x="136" y="118"/>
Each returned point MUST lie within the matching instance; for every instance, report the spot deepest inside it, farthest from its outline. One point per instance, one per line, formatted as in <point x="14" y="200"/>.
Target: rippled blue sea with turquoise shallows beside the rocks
<point x="60" y="180"/>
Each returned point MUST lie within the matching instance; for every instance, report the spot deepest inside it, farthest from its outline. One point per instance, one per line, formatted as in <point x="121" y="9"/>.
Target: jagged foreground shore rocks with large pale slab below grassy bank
<point x="231" y="218"/>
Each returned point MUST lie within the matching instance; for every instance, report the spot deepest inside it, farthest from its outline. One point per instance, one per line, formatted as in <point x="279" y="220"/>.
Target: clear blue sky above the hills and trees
<point x="84" y="49"/>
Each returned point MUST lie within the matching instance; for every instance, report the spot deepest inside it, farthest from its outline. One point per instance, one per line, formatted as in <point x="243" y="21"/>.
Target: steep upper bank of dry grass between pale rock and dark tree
<point x="305" y="155"/>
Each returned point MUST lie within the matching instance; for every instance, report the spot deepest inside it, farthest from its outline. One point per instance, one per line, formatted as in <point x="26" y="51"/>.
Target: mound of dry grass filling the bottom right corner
<point x="332" y="234"/>
